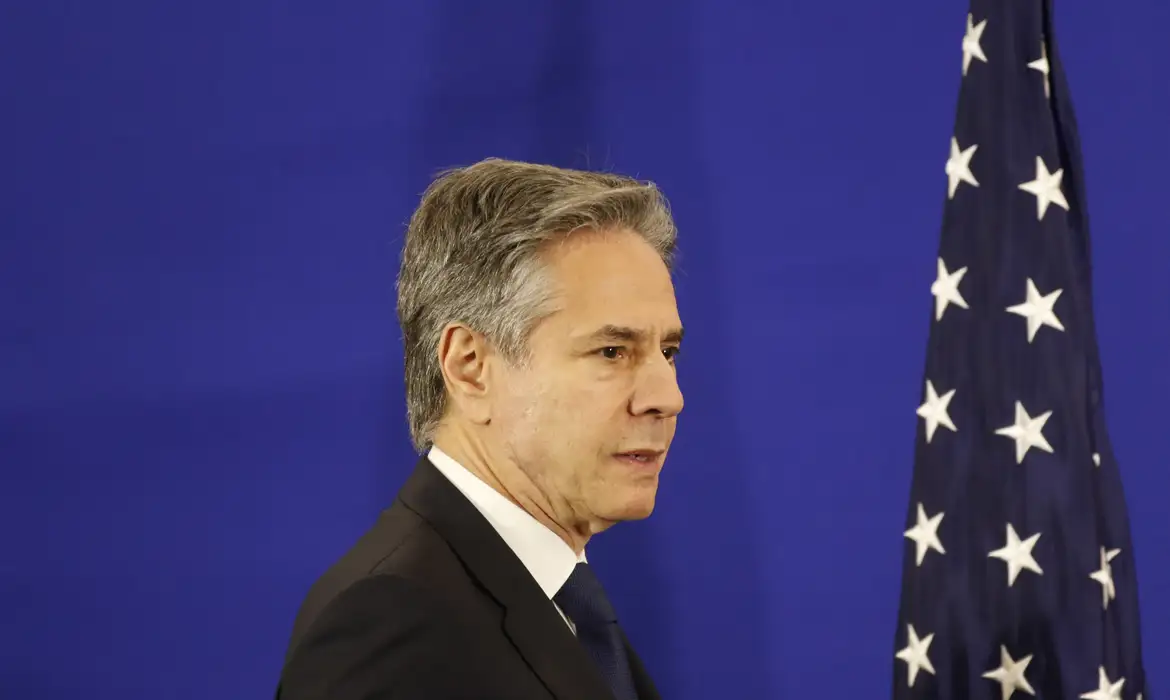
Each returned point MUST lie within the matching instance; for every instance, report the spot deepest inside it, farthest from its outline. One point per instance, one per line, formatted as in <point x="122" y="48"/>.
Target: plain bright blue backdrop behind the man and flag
<point x="201" y="394"/>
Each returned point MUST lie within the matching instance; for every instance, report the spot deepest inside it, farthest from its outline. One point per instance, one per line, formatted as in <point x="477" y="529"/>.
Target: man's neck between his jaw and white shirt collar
<point x="508" y="479"/>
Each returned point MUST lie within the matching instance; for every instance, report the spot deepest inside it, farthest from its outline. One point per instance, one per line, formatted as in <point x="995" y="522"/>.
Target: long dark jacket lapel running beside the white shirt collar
<point x="532" y="622"/>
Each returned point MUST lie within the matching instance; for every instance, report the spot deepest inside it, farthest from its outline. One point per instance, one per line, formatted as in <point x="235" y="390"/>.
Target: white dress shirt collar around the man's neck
<point x="543" y="553"/>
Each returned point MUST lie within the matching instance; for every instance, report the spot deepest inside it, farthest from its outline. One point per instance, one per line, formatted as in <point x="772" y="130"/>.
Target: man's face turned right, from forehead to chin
<point x="591" y="416"/>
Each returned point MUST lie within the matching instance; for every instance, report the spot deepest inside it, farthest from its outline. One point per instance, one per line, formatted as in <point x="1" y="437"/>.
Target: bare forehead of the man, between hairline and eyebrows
<point x="612" y="278"/>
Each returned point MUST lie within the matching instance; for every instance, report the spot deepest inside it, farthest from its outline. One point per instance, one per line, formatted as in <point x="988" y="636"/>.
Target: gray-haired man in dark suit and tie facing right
<point x="541" y="334"/>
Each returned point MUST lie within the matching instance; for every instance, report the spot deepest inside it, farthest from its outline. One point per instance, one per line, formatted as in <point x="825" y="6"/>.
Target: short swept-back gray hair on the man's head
<point x="472" y="256"/>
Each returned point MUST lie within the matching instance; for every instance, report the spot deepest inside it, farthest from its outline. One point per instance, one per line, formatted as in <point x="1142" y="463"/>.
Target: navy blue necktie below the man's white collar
<point x="584" y="602"/>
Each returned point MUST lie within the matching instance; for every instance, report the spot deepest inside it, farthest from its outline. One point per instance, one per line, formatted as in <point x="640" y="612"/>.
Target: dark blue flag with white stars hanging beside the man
<point x="1020" y="577"/>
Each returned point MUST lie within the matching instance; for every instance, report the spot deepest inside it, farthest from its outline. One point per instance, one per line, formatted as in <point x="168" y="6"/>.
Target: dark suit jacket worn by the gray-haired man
<point x="432" y="605"/>
